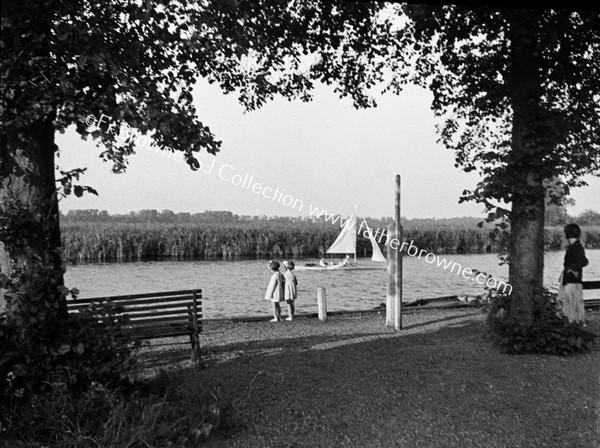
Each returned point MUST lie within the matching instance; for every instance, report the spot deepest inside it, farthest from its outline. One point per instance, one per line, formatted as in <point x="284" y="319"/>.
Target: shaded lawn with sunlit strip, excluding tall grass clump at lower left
<point x="352" y="382"/>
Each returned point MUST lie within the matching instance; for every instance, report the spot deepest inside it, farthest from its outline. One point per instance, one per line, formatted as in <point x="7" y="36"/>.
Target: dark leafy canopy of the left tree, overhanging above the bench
<point x="137" y="62"/>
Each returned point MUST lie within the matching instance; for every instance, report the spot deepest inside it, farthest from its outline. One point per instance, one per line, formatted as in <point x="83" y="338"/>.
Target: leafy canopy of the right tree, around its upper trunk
<point x="463" y="55"/>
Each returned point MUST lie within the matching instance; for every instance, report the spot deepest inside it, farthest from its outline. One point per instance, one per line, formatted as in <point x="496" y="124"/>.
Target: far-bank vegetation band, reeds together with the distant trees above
<point x="92" y="236"/>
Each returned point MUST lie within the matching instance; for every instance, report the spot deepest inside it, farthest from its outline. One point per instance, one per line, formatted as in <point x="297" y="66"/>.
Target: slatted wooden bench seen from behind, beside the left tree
<point x="156" y="315"/>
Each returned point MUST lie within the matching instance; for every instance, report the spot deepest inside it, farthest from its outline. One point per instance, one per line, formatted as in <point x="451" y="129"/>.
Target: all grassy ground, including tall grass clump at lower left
<point x="346" y="382"/>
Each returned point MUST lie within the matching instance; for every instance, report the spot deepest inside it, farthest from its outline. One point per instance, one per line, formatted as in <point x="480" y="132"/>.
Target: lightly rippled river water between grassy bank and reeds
<point x="236" y="288"/>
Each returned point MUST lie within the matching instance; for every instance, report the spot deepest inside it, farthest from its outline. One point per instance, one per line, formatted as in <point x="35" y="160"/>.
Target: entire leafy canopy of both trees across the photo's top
<point x="137" y="62"/>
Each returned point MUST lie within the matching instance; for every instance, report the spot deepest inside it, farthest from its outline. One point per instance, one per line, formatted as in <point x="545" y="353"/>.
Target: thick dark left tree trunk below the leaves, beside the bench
<point x="29" y="208"/>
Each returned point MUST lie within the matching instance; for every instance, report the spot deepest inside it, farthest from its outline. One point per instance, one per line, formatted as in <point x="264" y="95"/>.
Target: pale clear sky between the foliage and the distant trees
<point x="292" y="158"/>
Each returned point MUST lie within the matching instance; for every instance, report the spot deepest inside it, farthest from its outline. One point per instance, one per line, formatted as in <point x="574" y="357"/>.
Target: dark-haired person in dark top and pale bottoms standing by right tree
<point x="570" y="292"/>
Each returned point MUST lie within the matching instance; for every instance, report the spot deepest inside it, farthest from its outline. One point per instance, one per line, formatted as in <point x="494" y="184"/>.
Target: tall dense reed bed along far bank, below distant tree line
<point x="122" y="242"/>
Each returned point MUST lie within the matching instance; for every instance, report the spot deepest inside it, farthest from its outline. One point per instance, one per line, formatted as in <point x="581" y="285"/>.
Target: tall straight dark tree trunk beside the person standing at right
<point x="526" y="271"/>
